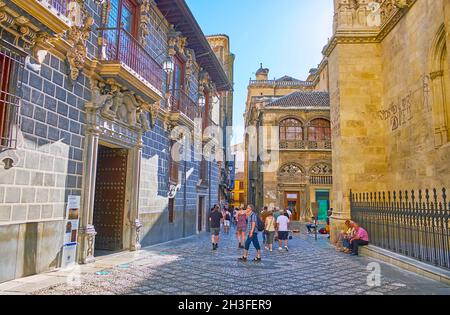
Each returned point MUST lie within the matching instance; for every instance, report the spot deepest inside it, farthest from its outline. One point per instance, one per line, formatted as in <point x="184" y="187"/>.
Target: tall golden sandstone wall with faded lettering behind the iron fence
<point x="388" y="67"/>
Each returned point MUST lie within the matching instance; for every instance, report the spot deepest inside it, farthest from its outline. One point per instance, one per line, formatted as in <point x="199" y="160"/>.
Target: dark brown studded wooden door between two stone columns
<point x="110" y="198"/>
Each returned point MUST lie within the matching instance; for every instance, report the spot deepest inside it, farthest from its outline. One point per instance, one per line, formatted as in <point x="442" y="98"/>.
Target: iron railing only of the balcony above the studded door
<point x="119" y="46"/>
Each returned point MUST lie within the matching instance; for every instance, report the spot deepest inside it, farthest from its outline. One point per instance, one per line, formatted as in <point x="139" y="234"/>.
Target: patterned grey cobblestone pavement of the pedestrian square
<point x="190" y="267"/>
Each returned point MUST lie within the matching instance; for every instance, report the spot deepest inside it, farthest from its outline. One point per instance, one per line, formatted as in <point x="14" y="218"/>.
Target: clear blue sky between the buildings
<point x="287" y="36"/>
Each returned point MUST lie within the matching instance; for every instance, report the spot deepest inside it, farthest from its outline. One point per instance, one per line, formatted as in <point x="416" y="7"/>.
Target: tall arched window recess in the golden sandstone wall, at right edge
<point x="440" y="81"/>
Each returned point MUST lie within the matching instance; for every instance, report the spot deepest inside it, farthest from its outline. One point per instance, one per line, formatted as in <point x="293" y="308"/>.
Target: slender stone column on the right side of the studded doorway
<point x="135" y="223"/>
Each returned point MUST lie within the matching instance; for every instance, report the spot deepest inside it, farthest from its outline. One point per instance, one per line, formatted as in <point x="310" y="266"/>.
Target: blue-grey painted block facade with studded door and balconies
<point x="94" y="97"/>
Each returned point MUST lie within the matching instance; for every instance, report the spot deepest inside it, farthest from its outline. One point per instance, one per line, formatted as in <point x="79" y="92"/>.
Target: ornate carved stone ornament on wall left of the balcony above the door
<point x="77" y="36"/>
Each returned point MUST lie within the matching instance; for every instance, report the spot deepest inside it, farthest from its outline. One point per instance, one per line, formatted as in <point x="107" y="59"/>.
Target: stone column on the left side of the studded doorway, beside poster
<point x="86" y="229"/>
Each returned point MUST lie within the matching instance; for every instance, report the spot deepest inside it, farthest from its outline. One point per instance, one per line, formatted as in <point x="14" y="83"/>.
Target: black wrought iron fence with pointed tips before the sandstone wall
<point x="411" y="223"/>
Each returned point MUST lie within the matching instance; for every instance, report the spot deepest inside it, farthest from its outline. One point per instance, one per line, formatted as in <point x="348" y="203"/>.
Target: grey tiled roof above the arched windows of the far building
<point x="303" y="99"/>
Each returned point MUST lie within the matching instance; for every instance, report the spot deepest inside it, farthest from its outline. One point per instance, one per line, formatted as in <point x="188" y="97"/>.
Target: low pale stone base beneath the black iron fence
<point x="406" y="263"/>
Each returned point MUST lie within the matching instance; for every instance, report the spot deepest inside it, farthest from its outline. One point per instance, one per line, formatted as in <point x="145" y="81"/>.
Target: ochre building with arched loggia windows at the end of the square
<point x="288" y="124"/>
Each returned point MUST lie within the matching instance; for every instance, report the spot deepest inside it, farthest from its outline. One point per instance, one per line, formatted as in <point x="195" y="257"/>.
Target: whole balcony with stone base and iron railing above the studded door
<point x="123" y="56"/>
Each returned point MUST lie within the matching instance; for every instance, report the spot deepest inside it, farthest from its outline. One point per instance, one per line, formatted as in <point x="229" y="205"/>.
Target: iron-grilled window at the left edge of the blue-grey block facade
<point x="11" y="68"/>
